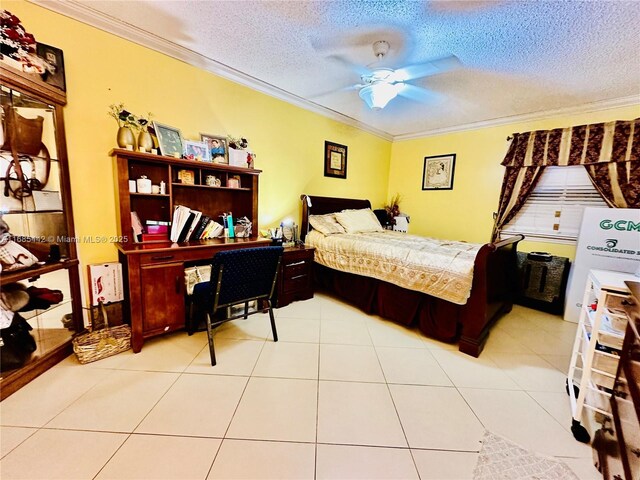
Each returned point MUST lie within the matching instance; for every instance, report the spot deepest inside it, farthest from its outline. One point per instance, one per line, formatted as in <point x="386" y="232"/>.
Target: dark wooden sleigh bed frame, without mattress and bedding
<point x="492" y="289"/>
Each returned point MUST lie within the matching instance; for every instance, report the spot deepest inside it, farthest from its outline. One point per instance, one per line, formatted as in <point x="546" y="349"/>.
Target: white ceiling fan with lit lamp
<point x="381" y="85"/>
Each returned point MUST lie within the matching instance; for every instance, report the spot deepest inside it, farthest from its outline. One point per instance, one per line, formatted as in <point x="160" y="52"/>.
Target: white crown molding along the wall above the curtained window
<point x="526" y="117"/>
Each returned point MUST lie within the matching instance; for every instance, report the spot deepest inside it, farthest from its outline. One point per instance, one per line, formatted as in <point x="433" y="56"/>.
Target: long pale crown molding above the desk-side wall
<point x="82" y="12"/>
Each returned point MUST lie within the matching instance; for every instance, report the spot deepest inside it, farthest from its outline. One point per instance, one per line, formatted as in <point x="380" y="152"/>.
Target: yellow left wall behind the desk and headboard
<point x="102" y="69"/>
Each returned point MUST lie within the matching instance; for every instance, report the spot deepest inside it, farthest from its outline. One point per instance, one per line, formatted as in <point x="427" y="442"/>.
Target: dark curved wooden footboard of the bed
<point x="492" y="293"/>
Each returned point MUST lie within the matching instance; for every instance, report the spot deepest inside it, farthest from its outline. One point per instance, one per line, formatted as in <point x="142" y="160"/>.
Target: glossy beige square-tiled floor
<point x="341" y="395"/>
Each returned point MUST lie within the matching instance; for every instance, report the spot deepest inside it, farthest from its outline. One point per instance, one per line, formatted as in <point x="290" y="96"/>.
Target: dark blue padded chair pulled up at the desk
<point x="239" y="277"/>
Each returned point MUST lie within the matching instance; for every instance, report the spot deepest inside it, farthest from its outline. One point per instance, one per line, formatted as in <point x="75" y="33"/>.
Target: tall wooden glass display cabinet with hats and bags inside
<point x="41" y="297"/>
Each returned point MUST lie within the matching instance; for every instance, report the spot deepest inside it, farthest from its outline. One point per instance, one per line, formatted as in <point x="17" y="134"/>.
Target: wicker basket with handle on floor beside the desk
<point x="90" y="347"/>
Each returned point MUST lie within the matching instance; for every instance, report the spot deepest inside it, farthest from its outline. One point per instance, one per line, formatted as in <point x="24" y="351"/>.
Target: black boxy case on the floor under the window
<point x="542" y="281"/>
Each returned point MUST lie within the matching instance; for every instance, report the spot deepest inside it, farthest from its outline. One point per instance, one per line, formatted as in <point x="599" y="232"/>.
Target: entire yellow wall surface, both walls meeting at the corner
<point x="102" y="69"/>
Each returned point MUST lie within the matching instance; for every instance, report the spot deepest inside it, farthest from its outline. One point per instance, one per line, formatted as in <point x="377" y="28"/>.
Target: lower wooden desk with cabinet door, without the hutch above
<point x="154" y="281"/>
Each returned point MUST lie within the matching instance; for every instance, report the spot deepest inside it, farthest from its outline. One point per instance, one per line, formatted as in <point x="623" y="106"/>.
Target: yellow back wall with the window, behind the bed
<point x="465" y="213"/>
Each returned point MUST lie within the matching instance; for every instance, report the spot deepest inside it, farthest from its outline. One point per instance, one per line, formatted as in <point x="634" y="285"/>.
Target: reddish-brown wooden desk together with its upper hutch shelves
<point x="154" y="271"/>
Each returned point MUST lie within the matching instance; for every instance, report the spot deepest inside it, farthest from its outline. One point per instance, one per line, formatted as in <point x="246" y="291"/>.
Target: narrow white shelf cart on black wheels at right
<point x="596" y="349"/>
